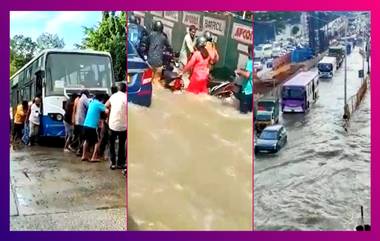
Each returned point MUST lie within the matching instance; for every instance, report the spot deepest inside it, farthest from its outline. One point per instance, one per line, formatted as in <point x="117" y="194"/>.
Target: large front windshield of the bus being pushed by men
<point x="76" y="70"/>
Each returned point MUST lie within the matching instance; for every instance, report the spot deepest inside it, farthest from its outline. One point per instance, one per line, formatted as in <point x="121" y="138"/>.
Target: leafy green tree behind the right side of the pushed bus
<point x="110" y="36"/>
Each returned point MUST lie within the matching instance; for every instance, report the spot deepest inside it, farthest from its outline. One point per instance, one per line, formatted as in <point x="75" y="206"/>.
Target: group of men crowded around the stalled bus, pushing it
<point x="91" y="122"/>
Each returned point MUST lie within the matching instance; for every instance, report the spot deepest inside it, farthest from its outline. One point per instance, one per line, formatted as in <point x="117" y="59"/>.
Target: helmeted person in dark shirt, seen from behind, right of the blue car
<point x="157" y="43"/>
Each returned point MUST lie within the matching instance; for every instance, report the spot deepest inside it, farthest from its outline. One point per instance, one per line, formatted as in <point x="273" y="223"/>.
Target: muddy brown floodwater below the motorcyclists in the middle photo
<point x="189" y="165"/>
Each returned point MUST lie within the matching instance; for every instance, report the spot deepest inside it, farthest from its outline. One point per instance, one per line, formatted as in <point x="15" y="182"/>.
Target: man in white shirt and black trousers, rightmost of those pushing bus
<point x="117" y="121"/>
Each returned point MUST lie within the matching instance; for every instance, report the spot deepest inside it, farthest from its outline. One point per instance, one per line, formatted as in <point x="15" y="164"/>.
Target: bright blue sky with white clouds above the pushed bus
<point x="66" y="24"/>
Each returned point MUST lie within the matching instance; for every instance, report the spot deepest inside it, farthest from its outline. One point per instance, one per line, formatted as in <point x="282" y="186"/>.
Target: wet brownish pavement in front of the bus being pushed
<point x="53" y="190"/>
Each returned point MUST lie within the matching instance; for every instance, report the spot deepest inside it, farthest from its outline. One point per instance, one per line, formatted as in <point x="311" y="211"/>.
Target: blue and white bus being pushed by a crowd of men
<point x="54" y="75"/>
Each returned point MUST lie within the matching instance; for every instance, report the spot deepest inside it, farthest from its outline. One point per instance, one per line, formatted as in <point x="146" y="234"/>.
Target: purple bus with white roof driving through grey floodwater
<point x="300" y="92"/>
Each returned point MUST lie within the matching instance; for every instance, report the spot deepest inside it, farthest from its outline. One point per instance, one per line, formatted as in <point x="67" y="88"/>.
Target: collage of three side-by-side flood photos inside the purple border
<point x="185" y="120"/>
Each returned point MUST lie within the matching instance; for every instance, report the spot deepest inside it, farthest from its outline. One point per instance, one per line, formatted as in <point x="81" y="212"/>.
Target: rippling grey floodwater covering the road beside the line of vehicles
<point x="321" y="177"/>
